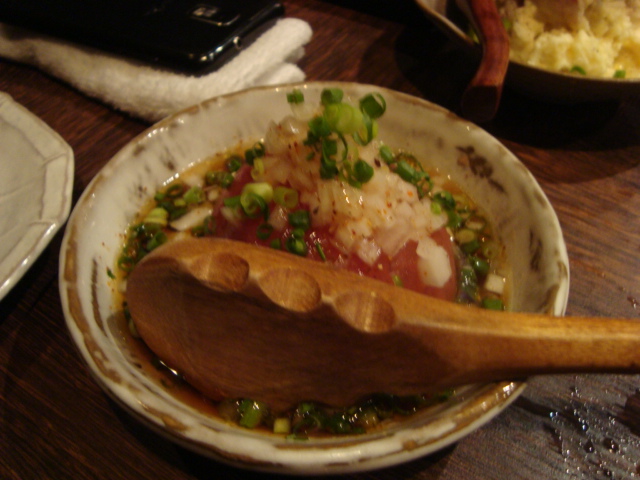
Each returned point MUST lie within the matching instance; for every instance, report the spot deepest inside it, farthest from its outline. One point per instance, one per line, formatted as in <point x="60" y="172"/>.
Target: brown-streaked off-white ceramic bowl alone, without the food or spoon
<point x="491" y="175"/>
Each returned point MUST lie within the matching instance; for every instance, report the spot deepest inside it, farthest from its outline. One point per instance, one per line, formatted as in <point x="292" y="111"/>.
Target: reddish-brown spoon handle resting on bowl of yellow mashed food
<point x="482" y="97"/>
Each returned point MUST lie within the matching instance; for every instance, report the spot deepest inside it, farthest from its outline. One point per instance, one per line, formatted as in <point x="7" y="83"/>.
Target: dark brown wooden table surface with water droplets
<point x="56" y="423"/>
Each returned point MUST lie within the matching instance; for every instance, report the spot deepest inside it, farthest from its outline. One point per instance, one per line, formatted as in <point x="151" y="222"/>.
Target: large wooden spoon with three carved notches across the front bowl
<point x="245" y="321"/>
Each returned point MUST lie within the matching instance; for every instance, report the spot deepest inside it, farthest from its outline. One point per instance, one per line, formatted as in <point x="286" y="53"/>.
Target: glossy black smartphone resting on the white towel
<point x="189" y="35"/>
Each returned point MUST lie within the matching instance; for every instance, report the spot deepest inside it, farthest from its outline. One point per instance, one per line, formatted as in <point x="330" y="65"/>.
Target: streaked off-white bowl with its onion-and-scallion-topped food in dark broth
<point x="356" y="176"/>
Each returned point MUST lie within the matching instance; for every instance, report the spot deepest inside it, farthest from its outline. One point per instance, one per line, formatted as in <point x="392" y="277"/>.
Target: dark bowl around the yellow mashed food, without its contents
<point x="535" y="82"/>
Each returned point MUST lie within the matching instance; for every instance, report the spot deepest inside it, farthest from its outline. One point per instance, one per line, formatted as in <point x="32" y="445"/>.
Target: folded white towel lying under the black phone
<point x="149" y="93"/>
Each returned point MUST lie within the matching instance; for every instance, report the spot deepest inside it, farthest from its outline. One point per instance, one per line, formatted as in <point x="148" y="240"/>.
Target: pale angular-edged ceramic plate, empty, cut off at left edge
<point x="36" y="168"/>
